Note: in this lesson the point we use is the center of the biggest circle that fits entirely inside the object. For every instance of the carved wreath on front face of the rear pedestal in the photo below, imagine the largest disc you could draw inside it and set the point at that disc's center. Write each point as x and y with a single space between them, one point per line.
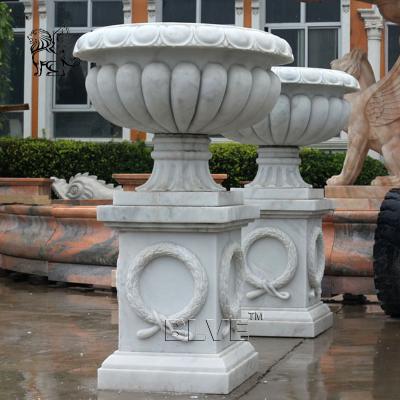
262 283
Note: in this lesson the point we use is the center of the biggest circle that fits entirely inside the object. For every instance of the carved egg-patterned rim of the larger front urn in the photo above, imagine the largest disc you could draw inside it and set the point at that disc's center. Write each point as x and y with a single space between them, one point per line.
183 35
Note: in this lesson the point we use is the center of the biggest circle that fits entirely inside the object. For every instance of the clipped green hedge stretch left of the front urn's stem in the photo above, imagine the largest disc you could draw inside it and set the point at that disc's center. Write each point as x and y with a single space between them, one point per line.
64 158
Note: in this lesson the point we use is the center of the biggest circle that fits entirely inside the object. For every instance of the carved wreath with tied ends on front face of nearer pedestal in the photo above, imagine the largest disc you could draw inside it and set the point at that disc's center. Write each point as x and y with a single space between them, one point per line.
171 323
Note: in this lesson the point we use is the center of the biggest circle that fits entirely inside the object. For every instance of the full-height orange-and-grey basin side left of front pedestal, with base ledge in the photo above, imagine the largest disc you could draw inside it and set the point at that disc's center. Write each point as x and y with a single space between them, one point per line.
62 240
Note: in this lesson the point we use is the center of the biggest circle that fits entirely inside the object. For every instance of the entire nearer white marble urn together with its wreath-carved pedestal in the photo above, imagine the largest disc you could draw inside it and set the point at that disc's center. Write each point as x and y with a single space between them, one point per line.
180 263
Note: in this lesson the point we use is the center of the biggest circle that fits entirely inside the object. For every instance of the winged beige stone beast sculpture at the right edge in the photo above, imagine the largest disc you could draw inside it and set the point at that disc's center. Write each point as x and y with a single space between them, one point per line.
374 122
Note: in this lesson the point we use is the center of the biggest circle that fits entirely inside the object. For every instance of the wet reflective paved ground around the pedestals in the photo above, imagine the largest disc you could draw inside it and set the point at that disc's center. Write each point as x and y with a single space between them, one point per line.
52 340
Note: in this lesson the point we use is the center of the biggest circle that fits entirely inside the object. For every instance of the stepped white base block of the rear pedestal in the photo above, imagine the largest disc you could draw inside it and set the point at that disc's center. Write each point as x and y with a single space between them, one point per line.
291 322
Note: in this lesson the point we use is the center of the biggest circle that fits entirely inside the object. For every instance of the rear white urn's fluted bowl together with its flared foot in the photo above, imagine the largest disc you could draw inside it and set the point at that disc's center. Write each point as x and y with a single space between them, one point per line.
310 109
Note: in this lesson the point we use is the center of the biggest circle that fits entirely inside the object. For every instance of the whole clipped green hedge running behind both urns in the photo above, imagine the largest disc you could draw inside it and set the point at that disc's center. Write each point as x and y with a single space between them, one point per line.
45 158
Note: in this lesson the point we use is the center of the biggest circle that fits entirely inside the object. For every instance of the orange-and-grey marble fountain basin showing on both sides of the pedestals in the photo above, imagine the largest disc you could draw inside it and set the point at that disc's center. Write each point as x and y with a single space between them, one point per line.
64 242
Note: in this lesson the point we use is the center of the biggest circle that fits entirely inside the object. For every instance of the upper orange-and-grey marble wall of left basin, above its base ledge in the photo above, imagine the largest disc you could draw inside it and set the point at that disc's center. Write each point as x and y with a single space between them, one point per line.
57 234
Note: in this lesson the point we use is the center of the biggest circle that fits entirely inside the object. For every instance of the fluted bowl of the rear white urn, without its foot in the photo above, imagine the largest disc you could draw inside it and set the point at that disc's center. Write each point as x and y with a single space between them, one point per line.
310 108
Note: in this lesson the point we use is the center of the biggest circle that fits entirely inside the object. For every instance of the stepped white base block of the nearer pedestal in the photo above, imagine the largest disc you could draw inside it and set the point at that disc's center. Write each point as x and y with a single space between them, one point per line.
185 373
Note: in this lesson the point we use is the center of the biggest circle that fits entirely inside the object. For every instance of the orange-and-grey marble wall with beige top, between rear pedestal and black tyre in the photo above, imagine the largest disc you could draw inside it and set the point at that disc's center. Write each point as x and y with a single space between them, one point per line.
349 237
